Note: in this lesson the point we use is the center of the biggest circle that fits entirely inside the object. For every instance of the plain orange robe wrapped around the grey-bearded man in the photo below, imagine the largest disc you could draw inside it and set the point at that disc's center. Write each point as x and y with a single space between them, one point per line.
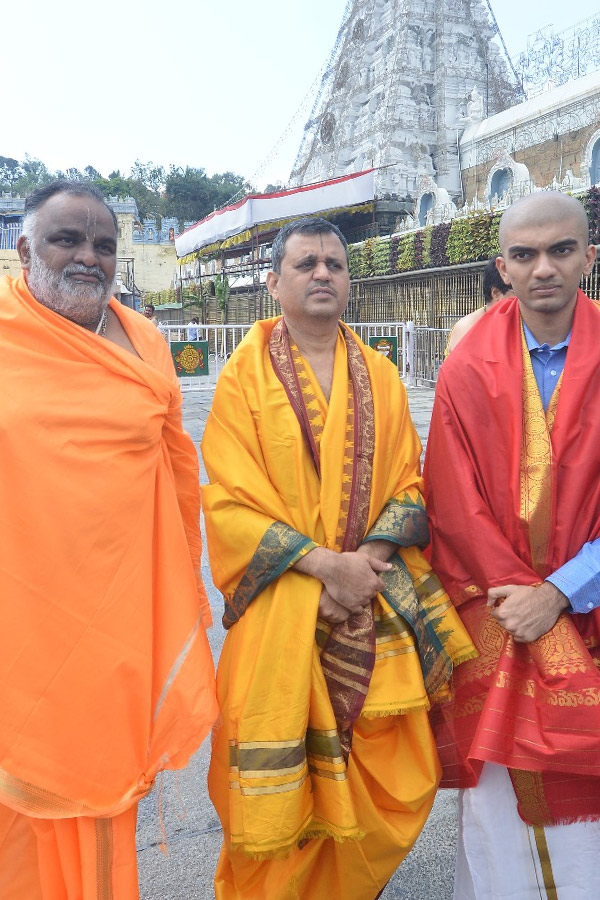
106 675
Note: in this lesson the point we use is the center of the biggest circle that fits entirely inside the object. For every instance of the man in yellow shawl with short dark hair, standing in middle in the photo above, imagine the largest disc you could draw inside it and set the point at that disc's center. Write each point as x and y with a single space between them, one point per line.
324 768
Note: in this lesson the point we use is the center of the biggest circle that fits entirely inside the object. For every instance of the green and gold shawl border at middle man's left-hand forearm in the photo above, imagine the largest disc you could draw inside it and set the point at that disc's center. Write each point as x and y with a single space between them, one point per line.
281 546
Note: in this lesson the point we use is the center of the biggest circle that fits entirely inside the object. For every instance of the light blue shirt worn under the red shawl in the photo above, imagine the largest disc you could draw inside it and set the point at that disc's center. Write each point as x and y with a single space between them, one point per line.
579 578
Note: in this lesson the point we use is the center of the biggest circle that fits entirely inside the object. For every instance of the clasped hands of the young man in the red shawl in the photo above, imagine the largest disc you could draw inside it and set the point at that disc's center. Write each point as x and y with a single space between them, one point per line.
526 612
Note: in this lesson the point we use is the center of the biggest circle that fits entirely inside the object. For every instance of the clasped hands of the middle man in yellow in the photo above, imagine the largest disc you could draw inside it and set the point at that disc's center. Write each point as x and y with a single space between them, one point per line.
350 580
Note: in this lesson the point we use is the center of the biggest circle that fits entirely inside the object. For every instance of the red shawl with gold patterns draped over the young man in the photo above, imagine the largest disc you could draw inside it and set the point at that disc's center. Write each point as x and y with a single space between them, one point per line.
512 495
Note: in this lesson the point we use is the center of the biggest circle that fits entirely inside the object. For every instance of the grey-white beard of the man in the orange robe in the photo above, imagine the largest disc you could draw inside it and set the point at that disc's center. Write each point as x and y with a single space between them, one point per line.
81 302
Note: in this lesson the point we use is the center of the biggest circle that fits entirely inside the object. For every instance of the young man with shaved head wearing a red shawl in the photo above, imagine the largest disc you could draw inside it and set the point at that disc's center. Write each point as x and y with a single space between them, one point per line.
513 492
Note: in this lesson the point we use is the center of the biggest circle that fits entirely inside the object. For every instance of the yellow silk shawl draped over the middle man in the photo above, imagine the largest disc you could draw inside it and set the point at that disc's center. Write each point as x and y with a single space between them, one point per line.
287 773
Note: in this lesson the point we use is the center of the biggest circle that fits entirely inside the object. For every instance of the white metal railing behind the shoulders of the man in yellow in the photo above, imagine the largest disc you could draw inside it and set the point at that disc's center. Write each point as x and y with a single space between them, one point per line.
420 350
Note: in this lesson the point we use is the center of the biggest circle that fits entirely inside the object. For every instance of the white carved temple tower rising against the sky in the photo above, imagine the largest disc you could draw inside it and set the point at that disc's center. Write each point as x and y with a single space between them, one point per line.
403 81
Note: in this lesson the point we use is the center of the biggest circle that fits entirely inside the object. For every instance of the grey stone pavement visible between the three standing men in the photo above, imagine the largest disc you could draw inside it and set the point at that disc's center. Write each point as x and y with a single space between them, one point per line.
180 801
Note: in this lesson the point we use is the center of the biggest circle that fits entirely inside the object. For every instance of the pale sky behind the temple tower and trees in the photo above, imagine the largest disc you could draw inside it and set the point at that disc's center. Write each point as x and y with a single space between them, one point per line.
193 82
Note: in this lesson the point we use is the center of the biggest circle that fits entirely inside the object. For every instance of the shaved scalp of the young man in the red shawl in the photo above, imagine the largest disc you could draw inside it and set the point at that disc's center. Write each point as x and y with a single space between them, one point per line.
536 210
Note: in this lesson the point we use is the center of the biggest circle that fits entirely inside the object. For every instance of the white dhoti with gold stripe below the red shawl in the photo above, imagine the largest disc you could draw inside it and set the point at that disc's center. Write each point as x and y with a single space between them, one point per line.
502 858
